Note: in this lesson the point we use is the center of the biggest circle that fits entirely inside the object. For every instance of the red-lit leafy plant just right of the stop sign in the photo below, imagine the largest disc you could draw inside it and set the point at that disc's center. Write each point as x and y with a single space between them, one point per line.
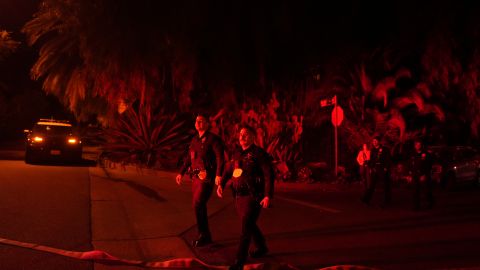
383 106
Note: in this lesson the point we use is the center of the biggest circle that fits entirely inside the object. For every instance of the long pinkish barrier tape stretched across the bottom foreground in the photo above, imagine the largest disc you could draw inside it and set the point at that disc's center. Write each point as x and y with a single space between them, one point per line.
105 258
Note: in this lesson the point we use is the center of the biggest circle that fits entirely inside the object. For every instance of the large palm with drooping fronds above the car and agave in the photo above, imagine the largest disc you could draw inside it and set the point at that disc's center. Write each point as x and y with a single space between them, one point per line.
113 51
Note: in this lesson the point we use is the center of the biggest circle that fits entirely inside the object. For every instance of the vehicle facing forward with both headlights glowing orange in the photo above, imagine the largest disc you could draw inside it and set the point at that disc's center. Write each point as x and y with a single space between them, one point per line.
52 139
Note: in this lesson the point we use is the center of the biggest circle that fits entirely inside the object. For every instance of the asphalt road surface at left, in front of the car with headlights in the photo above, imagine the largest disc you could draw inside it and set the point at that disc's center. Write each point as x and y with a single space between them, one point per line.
46 205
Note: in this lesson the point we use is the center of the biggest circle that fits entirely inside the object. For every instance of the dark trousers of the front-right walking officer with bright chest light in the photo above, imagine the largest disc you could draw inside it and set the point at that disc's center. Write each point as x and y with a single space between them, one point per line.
248 210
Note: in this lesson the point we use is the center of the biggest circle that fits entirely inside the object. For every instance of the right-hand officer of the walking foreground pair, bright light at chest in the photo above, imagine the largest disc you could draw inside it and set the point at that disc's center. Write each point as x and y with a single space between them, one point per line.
252 182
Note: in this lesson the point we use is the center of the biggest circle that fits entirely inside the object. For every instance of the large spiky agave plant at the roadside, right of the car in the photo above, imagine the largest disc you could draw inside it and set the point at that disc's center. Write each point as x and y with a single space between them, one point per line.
143 137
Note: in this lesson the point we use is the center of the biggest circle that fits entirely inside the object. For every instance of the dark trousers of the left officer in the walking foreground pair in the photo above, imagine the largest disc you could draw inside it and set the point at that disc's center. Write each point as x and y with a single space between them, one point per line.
201 193
